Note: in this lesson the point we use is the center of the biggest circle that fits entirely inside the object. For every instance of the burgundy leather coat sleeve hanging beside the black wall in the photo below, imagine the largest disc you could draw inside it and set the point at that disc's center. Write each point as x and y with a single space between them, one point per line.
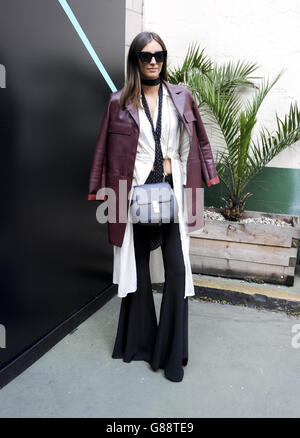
98 168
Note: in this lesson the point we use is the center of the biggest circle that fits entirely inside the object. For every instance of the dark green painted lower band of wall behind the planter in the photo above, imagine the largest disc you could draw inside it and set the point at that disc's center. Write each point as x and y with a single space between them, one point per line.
274 190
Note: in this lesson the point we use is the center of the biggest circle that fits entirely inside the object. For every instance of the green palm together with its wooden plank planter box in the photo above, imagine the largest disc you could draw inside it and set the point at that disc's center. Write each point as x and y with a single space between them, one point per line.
237 243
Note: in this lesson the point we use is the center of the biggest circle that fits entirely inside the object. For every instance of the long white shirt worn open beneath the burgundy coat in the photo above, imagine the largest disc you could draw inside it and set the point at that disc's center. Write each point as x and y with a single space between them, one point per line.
175 144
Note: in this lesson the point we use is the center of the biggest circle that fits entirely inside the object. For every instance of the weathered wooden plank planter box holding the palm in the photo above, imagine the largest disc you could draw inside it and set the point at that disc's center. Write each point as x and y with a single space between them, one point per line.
250 251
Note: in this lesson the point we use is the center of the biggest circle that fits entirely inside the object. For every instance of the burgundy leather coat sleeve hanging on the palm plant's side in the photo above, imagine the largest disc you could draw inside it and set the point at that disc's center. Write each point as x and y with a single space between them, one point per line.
209 171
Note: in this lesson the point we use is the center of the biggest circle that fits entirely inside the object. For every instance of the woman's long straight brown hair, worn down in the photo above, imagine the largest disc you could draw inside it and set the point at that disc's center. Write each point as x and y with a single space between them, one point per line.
131 91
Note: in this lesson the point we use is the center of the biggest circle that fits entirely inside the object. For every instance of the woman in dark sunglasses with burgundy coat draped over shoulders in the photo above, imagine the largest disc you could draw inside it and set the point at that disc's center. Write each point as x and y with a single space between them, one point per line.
165 136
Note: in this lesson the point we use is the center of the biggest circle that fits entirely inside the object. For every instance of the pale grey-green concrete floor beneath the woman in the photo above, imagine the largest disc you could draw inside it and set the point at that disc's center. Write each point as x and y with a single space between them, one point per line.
242 363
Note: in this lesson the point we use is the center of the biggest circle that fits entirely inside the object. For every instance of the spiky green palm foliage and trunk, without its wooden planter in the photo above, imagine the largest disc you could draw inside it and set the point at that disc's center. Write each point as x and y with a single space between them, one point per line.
217 93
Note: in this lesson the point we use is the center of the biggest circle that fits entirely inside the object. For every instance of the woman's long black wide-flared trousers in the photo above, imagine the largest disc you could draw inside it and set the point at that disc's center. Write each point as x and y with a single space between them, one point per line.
138 336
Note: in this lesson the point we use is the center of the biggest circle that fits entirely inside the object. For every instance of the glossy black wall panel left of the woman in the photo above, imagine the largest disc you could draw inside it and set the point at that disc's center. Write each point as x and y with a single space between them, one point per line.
55 256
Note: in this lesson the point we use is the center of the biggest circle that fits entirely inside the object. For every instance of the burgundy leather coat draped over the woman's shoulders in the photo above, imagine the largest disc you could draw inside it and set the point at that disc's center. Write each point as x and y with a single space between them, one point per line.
116 147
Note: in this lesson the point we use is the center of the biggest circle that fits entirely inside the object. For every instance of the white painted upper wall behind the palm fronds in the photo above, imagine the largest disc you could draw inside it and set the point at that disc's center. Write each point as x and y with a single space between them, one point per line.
262 31
